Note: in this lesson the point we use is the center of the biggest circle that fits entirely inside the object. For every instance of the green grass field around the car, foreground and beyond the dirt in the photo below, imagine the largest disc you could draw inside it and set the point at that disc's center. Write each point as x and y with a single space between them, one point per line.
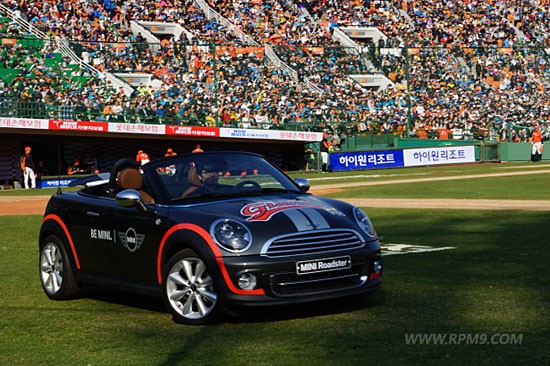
494 282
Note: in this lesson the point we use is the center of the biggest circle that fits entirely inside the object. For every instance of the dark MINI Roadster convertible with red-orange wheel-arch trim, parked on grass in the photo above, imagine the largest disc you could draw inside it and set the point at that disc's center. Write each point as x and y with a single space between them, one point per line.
206 232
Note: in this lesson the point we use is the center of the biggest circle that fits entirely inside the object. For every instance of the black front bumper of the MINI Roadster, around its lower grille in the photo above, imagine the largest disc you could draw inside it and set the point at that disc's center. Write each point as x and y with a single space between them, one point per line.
283 285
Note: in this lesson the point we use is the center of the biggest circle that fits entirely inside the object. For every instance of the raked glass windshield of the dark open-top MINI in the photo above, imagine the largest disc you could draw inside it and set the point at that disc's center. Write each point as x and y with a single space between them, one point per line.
214 175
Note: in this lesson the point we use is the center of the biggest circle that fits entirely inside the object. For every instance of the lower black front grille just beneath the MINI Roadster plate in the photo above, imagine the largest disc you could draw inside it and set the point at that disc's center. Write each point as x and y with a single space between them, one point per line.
292 284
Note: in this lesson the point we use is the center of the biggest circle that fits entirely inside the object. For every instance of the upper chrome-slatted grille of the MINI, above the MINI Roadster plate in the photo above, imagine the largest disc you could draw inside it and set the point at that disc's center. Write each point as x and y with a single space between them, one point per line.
312 242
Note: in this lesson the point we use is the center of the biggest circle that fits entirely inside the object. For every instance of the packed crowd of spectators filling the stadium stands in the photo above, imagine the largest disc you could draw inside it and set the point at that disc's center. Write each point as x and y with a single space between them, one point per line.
470 66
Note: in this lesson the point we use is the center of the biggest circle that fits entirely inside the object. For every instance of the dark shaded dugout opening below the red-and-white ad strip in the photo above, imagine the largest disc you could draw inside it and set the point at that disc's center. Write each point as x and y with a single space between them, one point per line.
58 150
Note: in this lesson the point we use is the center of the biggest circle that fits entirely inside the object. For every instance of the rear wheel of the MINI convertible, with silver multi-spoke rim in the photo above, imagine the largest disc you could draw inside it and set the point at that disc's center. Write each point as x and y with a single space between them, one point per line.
56 273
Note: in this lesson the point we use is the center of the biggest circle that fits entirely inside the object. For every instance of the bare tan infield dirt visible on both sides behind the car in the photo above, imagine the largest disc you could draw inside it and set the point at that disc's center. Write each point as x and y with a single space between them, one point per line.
35 205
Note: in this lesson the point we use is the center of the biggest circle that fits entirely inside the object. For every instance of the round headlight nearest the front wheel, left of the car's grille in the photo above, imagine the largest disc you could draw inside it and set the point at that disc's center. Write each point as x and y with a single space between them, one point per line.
231 235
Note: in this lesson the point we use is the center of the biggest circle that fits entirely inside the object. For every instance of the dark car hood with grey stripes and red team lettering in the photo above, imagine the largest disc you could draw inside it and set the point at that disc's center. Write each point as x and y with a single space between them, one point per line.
272 216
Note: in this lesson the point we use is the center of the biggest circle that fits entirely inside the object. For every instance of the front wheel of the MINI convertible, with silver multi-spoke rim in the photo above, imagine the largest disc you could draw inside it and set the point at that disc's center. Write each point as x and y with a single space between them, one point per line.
190 291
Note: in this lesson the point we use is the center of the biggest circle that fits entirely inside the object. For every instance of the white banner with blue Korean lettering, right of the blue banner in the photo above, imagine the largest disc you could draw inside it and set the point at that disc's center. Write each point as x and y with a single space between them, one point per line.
439 155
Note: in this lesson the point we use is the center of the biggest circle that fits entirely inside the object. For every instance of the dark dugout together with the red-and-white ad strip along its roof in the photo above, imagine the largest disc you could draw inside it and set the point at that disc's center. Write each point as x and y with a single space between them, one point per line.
59 143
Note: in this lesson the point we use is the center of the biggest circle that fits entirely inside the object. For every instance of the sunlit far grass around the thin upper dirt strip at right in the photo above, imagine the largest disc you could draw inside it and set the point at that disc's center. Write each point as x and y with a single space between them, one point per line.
520 187
